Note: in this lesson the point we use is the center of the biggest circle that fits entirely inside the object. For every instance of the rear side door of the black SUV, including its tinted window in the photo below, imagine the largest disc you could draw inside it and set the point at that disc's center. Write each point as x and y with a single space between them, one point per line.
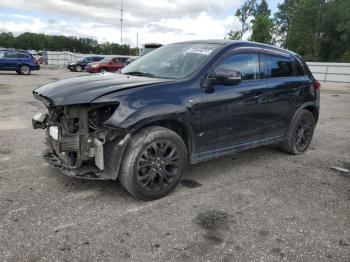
284 91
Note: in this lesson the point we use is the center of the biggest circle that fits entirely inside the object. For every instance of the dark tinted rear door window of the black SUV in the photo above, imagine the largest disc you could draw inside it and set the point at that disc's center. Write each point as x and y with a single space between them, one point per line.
279 66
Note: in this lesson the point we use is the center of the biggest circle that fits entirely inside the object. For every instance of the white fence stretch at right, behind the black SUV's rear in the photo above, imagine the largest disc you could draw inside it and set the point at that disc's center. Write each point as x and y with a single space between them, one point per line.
330 72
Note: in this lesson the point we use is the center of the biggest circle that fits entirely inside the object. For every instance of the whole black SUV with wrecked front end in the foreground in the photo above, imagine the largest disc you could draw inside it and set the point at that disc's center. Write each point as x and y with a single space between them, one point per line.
181 104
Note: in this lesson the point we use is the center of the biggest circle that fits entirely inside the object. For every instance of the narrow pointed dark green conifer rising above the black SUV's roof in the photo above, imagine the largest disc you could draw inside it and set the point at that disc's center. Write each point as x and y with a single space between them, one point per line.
263 26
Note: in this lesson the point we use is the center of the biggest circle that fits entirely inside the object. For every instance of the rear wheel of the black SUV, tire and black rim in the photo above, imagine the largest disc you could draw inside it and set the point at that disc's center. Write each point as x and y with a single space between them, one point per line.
300 133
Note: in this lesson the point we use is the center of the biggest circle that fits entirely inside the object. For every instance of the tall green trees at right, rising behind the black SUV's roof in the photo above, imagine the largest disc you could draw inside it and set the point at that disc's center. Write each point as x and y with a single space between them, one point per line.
319 30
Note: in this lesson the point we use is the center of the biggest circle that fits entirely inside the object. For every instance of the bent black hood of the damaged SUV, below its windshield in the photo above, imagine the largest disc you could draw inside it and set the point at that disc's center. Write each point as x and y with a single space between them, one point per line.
84 89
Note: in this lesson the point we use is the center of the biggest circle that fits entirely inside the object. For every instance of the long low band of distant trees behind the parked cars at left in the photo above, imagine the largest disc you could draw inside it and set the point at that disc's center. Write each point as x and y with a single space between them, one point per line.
32 41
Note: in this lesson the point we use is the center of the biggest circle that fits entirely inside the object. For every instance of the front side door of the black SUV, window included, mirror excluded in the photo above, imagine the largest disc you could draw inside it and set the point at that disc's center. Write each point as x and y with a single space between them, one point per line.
234 115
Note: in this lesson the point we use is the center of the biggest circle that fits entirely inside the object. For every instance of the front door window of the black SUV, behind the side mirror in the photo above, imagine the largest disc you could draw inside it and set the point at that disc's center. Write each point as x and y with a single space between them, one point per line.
246 64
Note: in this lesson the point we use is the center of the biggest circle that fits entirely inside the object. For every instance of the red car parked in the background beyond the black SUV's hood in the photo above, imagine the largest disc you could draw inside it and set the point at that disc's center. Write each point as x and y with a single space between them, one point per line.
109 64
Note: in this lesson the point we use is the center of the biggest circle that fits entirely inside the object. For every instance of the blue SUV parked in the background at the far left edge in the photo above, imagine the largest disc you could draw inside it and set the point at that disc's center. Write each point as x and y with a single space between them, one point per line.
20 61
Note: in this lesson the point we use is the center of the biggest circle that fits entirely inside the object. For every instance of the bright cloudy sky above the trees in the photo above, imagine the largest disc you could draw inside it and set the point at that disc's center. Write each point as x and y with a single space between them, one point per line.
160 21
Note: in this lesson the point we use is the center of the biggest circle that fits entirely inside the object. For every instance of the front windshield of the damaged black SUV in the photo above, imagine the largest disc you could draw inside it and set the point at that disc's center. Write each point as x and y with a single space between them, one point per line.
172 61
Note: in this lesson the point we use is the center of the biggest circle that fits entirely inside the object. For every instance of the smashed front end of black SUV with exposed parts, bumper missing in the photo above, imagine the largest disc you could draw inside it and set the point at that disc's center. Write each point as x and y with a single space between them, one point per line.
79 144
